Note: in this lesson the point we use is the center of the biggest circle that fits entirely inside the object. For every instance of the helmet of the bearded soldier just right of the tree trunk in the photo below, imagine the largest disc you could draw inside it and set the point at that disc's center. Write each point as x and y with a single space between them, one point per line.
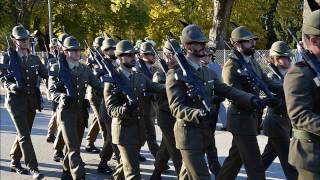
241 33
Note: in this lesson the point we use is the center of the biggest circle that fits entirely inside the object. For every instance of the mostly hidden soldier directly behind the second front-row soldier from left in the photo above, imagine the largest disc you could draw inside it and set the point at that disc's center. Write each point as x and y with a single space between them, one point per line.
58 144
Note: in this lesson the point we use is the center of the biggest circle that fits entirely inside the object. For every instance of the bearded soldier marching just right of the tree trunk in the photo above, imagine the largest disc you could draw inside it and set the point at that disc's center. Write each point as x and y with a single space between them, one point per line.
243 123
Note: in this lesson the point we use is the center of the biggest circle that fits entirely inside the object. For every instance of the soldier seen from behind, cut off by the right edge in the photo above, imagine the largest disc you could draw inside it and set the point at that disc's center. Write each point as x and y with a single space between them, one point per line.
301 86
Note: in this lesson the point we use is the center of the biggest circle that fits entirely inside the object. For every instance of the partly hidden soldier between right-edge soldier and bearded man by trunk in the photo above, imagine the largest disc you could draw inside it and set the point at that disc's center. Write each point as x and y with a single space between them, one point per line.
276 124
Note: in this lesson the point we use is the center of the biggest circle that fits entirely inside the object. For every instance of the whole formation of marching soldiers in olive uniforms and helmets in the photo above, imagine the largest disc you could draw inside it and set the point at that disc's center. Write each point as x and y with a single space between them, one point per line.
127 88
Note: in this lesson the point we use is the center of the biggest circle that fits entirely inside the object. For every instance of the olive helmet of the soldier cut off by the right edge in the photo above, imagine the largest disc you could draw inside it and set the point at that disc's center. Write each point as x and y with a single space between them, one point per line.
311 23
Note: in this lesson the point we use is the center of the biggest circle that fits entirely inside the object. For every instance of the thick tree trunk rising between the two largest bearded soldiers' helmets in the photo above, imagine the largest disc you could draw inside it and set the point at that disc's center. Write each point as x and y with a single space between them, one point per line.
221 15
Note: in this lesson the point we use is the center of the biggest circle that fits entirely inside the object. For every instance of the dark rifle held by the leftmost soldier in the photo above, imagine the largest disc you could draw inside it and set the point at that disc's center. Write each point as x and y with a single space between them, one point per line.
14 67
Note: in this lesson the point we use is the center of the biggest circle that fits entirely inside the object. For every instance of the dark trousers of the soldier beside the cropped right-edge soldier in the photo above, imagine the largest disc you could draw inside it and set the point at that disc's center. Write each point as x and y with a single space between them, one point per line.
279 147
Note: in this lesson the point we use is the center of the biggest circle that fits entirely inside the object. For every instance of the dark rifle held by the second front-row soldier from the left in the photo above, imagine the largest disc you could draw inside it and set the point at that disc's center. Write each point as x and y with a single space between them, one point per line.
64 74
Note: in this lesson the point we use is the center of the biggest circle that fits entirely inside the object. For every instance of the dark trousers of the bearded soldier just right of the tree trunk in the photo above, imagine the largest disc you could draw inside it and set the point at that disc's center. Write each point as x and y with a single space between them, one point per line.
244 150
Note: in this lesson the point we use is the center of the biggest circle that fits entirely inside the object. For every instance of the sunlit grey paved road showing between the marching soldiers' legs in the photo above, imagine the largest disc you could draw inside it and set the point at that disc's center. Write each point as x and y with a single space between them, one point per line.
52 170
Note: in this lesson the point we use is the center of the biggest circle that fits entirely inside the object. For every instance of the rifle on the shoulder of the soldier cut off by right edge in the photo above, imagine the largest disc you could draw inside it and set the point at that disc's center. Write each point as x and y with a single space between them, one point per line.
309 59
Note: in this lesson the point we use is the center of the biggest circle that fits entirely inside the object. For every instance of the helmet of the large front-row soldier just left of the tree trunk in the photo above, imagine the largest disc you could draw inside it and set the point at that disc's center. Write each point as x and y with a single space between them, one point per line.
193 33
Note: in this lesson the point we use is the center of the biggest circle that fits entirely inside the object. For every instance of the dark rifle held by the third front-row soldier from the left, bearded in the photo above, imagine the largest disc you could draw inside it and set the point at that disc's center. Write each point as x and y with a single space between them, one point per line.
115 78
